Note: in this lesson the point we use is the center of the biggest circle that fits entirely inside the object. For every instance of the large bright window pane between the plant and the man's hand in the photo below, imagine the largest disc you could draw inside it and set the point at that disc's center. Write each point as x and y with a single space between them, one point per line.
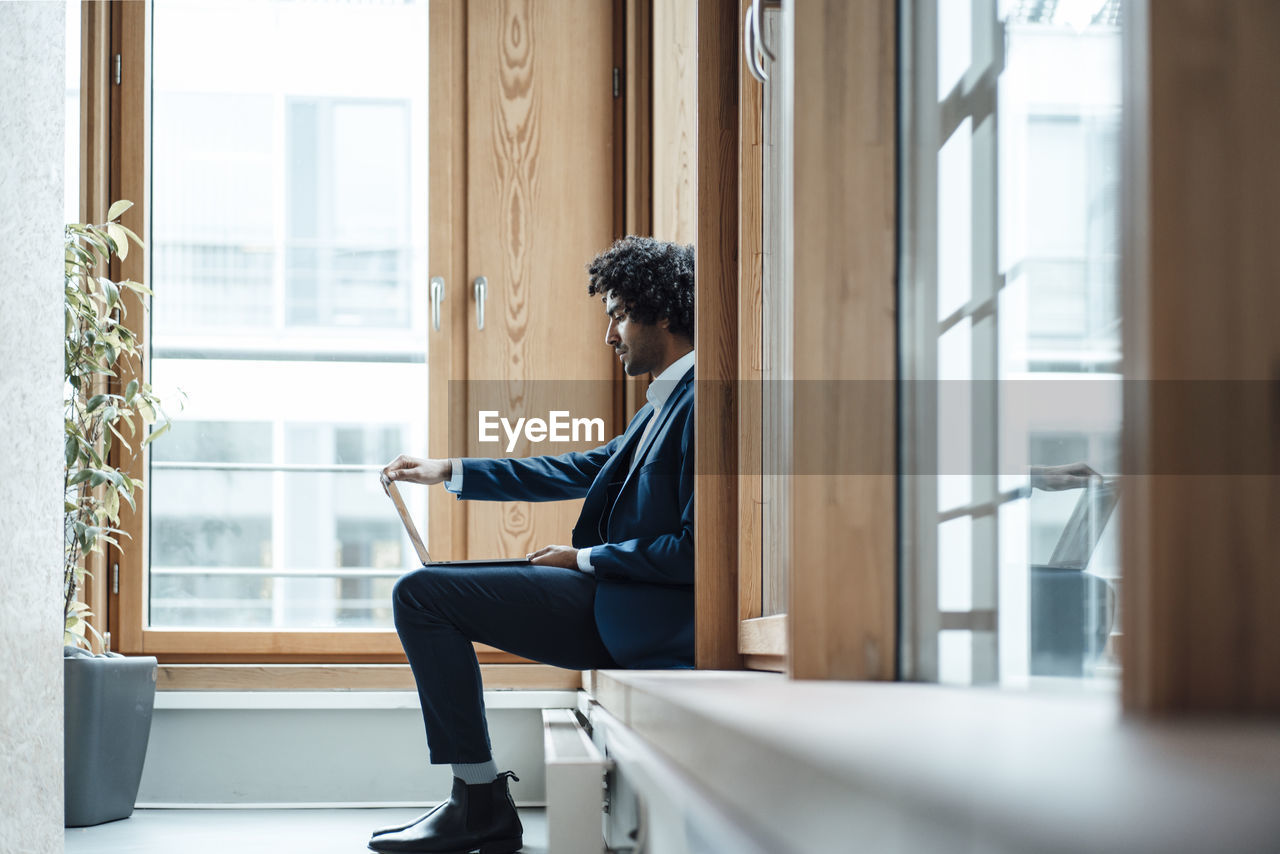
289 229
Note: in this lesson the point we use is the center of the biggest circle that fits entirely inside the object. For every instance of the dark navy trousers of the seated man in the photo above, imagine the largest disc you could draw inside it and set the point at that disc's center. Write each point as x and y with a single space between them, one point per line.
540 613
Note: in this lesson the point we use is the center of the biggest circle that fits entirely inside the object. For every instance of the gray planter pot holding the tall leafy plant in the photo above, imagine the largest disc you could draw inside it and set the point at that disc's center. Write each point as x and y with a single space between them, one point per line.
108 723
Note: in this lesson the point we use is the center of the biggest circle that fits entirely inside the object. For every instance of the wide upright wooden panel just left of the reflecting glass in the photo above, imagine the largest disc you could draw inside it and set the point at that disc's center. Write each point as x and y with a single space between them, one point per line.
843 568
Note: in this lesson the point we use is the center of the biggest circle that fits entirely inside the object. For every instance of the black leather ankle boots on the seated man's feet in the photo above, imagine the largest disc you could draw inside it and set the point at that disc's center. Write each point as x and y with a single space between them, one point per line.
476 819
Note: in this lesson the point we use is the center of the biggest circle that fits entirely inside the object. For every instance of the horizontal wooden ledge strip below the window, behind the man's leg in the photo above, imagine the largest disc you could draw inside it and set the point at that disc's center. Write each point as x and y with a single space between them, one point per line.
359 678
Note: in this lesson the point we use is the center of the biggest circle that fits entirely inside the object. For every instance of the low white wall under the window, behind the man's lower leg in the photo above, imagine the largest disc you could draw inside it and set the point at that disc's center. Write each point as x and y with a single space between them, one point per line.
313 750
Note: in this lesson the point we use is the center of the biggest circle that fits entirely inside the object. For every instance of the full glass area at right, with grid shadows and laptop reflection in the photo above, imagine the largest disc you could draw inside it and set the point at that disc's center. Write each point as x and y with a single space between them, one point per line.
1014 528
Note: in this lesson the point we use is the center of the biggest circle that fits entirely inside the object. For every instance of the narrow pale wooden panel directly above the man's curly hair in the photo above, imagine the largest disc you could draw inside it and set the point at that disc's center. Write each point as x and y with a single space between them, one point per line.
675 120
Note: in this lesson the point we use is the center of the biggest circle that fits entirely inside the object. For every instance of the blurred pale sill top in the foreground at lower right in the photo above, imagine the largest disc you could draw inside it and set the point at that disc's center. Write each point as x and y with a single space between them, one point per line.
912 768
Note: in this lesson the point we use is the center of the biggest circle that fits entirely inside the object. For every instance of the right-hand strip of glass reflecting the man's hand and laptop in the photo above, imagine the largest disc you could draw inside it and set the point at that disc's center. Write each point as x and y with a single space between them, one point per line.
1060 243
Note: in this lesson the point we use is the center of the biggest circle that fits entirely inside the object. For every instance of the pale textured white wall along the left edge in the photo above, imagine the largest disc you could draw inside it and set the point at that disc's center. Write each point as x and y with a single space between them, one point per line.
31 229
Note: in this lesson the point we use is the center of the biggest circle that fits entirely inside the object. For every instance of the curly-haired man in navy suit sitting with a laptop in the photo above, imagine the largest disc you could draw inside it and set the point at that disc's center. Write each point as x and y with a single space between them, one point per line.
621 596
